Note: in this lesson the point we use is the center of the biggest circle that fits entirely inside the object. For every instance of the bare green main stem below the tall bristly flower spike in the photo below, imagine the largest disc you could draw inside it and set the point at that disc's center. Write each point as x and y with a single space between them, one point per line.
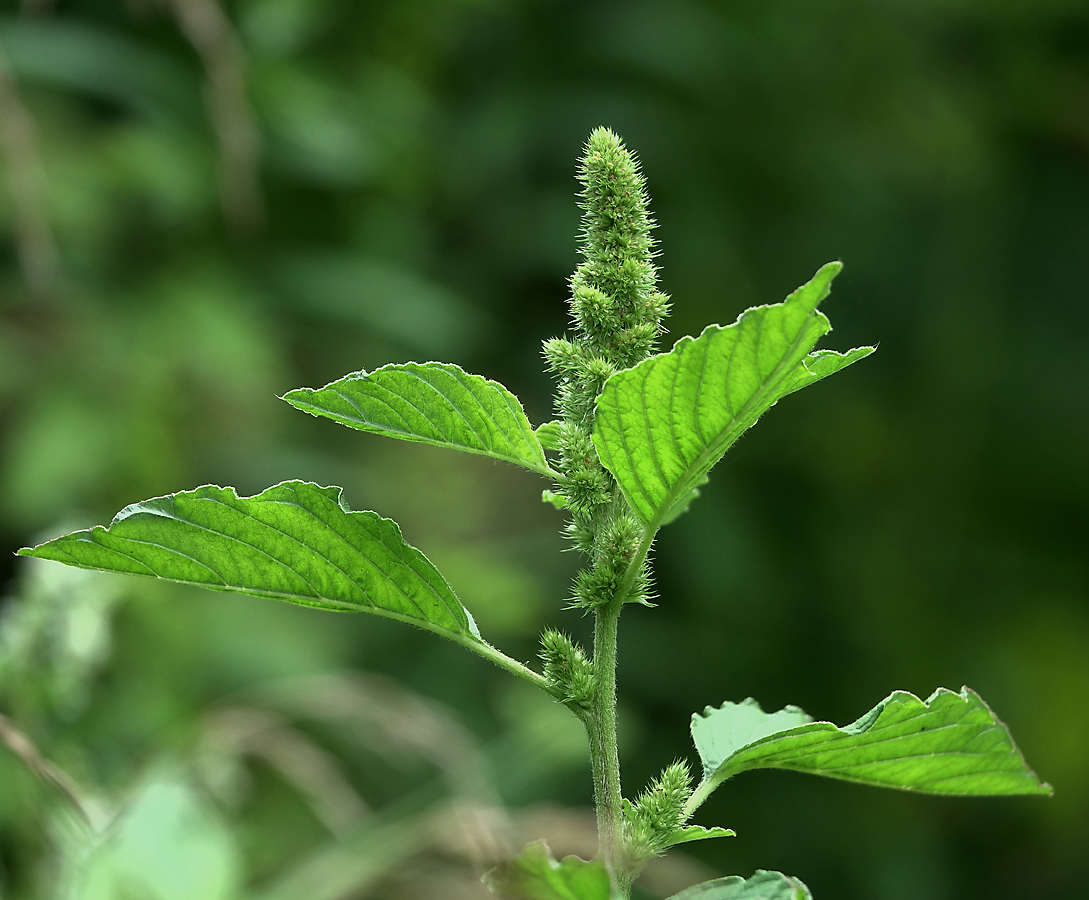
603 734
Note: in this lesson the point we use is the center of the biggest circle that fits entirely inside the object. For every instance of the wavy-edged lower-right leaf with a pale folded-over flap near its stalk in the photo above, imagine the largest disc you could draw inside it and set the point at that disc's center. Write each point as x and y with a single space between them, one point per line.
951 745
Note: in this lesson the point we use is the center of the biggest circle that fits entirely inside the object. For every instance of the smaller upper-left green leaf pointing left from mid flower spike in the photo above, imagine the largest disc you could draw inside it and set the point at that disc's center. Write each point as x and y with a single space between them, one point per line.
436 404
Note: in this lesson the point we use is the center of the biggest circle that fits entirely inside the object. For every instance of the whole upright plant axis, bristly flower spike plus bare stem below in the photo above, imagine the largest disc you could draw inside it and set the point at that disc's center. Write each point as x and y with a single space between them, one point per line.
618 311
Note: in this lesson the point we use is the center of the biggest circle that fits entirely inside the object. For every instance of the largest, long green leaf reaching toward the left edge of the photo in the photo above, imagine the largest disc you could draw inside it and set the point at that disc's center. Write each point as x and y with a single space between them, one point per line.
296 542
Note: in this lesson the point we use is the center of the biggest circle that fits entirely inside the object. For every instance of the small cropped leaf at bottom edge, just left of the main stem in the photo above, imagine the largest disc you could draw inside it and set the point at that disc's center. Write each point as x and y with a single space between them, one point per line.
535 875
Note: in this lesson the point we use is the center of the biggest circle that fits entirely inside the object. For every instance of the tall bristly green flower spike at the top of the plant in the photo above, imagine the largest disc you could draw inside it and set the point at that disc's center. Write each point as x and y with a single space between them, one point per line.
617 311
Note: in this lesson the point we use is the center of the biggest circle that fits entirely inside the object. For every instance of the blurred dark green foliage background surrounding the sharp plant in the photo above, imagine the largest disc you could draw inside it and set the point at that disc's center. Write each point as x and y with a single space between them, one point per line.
205 206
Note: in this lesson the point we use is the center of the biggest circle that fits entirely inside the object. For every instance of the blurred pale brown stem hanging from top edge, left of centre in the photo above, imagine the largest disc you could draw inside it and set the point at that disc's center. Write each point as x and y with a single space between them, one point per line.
210 31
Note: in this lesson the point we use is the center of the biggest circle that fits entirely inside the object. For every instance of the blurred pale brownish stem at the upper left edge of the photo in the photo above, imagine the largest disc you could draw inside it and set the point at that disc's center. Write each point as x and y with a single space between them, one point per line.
34 239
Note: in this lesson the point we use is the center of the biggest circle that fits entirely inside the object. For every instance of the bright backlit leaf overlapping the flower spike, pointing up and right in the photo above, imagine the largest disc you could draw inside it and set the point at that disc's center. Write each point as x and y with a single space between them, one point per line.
663 425
